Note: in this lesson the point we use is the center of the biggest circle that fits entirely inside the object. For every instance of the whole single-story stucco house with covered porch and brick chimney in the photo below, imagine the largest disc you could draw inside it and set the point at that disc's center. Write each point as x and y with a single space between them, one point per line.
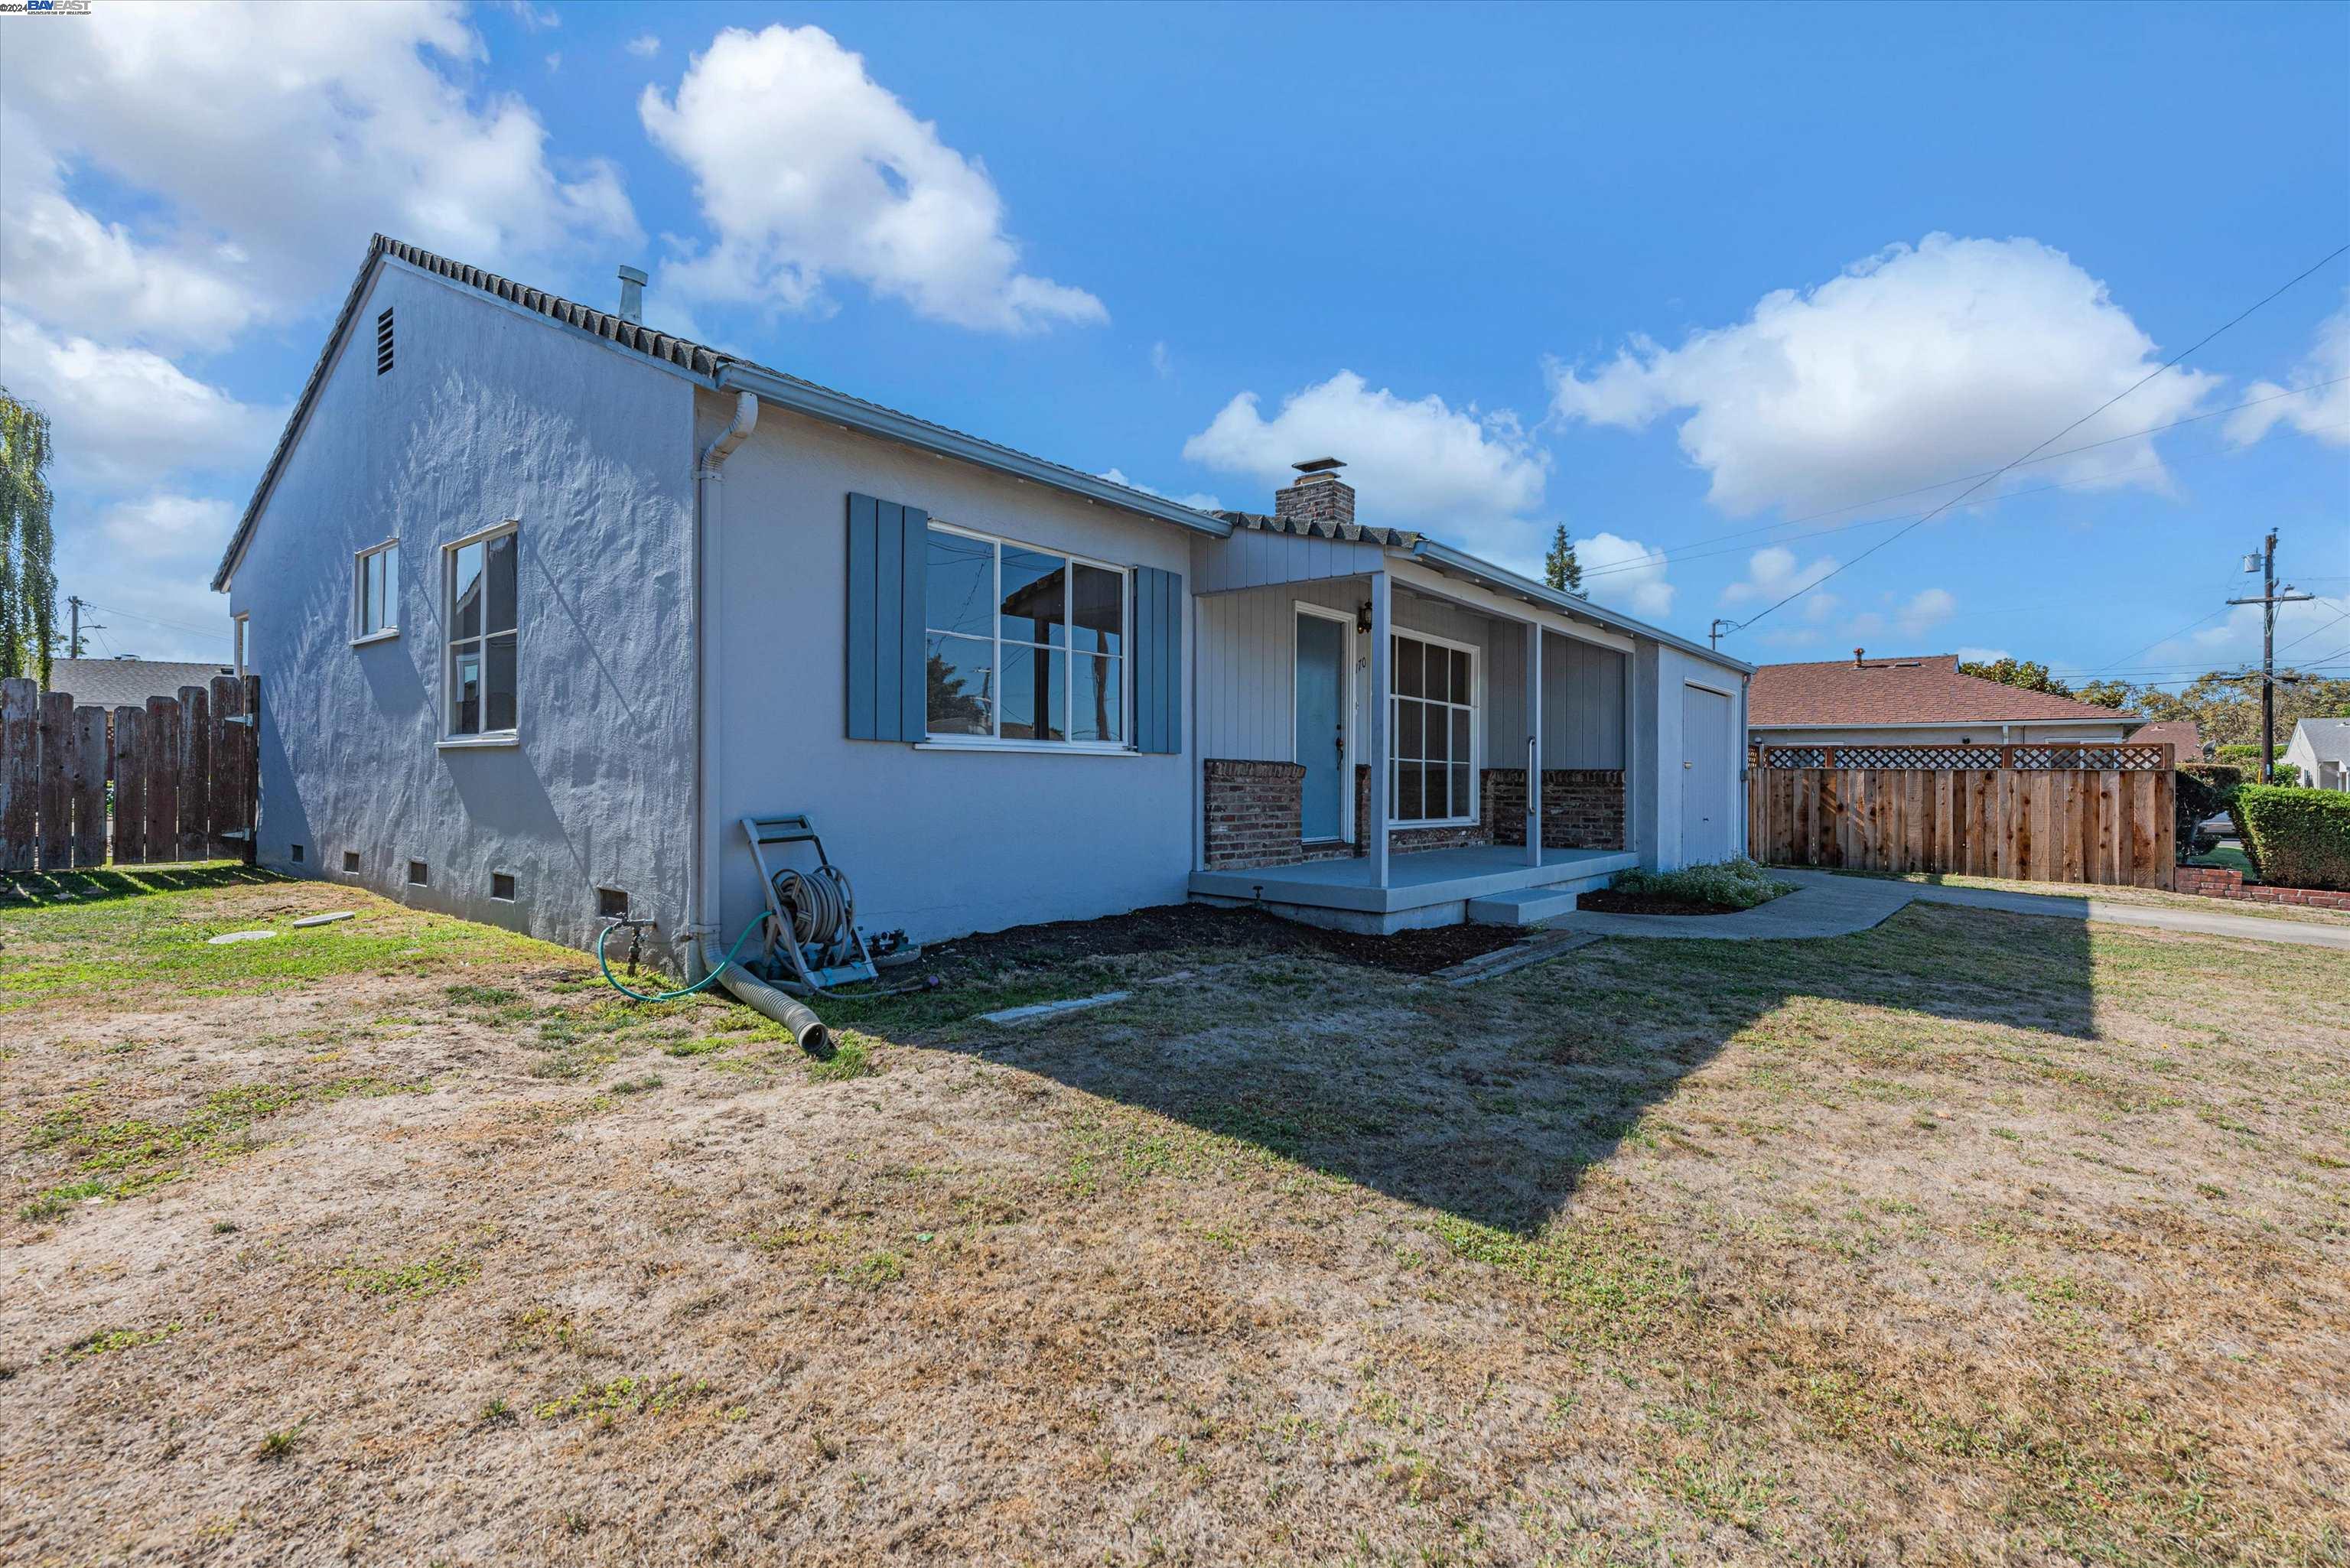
546 603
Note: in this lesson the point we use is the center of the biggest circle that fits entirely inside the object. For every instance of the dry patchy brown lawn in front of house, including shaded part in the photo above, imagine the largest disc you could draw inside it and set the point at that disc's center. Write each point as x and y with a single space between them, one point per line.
1975 1238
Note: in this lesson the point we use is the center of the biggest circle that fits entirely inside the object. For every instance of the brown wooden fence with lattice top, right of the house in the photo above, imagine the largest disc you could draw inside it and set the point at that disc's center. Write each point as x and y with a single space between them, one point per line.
2029 812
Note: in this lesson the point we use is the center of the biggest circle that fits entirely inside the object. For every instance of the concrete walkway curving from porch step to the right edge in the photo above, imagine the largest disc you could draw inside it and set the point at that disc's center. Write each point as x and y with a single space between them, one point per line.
1839 906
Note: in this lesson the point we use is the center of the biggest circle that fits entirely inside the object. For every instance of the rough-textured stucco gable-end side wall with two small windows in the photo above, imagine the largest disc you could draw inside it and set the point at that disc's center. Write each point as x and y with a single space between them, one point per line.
488 415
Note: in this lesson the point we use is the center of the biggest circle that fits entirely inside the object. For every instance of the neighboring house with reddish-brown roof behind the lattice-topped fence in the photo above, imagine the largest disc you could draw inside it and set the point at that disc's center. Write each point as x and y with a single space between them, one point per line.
1916 702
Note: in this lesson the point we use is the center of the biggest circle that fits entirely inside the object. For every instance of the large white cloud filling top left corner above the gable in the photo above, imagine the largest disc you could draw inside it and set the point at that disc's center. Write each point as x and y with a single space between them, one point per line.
215 114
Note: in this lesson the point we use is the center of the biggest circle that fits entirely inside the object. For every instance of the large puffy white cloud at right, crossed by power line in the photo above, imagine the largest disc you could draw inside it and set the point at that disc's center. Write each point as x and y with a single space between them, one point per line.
1914 368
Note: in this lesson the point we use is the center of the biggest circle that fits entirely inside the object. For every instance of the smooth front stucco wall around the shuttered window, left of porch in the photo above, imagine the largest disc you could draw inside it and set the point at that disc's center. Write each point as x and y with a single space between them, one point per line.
939 843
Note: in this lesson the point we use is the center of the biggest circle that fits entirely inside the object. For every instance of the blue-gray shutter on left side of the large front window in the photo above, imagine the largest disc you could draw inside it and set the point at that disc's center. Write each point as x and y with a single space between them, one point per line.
885 657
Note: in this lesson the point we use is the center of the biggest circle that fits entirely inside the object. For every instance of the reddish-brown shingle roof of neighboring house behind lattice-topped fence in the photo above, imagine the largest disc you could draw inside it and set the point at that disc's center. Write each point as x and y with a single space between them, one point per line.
1923 690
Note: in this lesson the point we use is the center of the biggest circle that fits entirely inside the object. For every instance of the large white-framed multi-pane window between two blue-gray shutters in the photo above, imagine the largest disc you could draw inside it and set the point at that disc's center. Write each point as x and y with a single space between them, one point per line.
1023 645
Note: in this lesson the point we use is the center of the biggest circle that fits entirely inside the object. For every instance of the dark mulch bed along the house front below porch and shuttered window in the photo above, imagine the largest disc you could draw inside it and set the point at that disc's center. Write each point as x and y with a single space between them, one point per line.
1193 925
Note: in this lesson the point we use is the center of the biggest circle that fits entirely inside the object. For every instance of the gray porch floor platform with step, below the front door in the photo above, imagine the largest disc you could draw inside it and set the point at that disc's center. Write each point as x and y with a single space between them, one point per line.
1432 887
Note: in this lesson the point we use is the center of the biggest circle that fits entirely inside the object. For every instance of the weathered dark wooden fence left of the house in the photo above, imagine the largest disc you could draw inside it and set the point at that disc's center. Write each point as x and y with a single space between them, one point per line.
88 786
